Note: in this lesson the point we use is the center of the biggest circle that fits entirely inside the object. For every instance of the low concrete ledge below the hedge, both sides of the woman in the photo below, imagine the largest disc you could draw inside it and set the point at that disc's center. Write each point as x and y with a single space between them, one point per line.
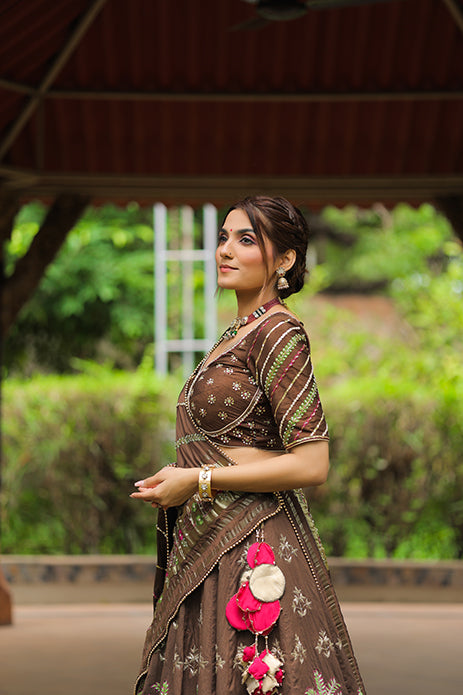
115 578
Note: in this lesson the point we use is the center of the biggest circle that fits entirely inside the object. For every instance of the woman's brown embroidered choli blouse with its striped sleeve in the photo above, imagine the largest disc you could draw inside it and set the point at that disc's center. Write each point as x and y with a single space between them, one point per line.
261 392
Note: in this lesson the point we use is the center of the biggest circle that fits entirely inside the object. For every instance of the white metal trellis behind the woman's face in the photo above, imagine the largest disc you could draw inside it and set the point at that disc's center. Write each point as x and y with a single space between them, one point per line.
187 344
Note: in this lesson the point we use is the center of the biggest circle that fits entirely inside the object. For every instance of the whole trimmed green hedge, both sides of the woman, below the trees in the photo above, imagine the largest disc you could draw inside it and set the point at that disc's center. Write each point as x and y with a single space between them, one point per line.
74 445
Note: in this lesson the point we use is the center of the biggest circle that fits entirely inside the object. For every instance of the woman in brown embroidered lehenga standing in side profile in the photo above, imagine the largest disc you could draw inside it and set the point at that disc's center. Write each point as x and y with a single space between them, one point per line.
243 600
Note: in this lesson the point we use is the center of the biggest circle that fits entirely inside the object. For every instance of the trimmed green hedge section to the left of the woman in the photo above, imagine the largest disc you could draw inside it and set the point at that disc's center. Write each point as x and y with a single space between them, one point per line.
73 447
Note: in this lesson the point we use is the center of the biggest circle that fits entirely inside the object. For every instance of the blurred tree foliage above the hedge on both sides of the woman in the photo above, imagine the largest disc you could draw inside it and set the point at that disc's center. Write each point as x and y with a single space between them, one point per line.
96 300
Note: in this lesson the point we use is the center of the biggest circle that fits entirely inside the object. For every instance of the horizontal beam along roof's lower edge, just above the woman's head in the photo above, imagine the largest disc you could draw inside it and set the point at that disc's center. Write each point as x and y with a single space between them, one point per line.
179 189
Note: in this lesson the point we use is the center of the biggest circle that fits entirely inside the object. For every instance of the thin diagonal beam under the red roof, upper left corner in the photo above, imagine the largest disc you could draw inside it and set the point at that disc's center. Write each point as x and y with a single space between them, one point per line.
60 60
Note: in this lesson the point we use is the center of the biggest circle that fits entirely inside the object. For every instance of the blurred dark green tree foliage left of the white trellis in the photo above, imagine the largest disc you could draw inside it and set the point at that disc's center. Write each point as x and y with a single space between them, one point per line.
95 299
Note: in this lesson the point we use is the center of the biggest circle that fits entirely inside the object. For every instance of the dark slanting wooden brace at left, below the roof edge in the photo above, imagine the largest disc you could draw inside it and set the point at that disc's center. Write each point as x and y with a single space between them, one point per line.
18 289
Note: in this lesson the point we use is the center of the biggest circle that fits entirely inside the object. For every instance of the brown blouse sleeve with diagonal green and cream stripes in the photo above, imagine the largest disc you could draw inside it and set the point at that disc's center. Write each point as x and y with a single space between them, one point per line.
279 358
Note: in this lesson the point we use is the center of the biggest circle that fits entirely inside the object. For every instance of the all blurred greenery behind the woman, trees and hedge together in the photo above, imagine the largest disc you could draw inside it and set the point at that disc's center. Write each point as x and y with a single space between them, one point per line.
84 415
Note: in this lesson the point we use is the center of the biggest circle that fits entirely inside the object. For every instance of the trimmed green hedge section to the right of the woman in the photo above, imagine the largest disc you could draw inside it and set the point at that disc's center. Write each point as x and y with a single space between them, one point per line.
395 483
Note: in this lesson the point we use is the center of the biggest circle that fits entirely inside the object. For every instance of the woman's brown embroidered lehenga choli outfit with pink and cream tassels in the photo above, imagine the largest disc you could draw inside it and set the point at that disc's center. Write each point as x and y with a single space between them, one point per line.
243 600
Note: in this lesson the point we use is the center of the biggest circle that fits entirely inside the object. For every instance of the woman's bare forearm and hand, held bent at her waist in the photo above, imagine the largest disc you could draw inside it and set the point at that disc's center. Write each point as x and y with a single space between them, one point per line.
303 466
